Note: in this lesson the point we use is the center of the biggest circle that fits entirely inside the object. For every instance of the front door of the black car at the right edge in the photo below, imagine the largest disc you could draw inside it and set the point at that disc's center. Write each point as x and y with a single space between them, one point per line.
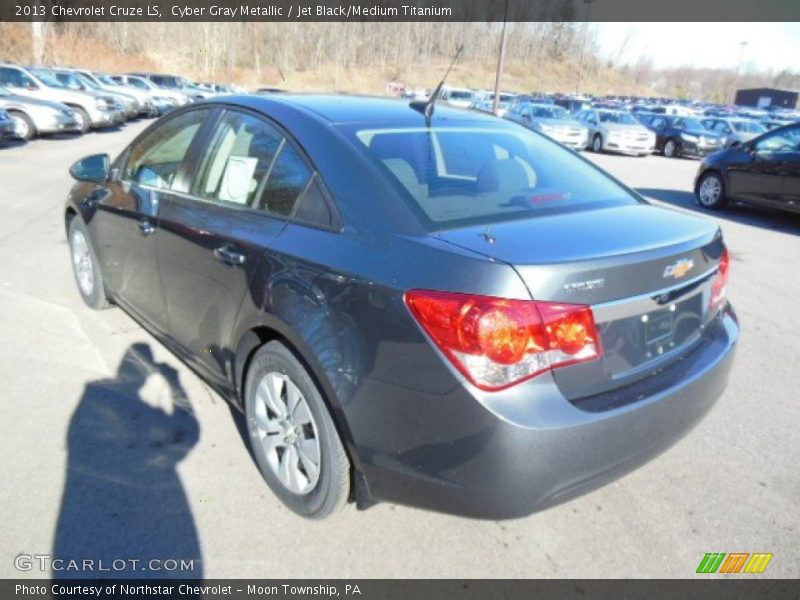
758 174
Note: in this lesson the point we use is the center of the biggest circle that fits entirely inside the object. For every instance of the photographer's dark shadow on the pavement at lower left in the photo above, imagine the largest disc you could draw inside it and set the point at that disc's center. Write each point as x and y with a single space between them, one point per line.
123 500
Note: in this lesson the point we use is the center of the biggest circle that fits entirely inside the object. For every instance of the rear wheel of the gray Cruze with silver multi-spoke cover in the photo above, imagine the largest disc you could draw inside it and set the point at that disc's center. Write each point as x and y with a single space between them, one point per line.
293 438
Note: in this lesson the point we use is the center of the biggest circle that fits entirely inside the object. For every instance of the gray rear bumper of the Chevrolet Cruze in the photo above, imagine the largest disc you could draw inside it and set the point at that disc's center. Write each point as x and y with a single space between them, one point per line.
510 454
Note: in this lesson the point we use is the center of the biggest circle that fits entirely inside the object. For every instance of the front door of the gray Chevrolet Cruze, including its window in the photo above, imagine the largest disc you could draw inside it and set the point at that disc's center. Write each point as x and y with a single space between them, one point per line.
125 223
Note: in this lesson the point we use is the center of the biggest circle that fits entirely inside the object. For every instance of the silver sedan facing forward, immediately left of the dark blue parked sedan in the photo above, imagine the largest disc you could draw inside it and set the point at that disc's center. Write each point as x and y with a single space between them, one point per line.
617 131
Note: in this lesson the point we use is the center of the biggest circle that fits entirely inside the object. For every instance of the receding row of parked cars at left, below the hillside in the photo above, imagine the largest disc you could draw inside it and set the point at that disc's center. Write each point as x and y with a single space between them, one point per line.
37 100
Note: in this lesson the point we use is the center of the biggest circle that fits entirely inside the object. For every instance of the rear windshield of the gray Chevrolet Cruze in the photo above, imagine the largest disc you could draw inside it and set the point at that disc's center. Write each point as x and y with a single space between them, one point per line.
474 175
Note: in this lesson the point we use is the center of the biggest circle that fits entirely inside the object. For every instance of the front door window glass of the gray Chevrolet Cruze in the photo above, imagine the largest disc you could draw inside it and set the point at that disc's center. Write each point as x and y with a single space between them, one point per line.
156 159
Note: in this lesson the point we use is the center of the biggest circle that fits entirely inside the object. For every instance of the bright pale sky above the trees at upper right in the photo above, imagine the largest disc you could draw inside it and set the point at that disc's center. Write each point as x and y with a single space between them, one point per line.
770 46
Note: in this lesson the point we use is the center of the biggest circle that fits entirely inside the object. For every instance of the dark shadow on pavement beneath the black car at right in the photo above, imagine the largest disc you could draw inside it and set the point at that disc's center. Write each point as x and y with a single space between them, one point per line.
738 212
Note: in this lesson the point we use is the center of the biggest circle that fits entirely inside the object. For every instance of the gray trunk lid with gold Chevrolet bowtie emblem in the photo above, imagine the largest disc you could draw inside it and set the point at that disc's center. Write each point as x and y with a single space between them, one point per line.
646 272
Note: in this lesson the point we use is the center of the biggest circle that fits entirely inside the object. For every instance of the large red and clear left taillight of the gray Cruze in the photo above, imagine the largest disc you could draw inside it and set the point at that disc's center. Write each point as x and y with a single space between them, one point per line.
497 343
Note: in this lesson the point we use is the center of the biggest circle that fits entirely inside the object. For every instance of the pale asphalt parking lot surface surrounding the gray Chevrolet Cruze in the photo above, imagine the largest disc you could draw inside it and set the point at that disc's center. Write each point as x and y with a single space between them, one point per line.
732 485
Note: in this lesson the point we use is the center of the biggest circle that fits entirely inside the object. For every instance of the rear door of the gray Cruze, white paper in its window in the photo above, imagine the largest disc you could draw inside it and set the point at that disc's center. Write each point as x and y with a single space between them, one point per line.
215 237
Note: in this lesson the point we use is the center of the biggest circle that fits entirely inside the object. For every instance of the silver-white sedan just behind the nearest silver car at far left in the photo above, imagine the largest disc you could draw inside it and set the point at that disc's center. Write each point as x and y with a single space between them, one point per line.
92 110
